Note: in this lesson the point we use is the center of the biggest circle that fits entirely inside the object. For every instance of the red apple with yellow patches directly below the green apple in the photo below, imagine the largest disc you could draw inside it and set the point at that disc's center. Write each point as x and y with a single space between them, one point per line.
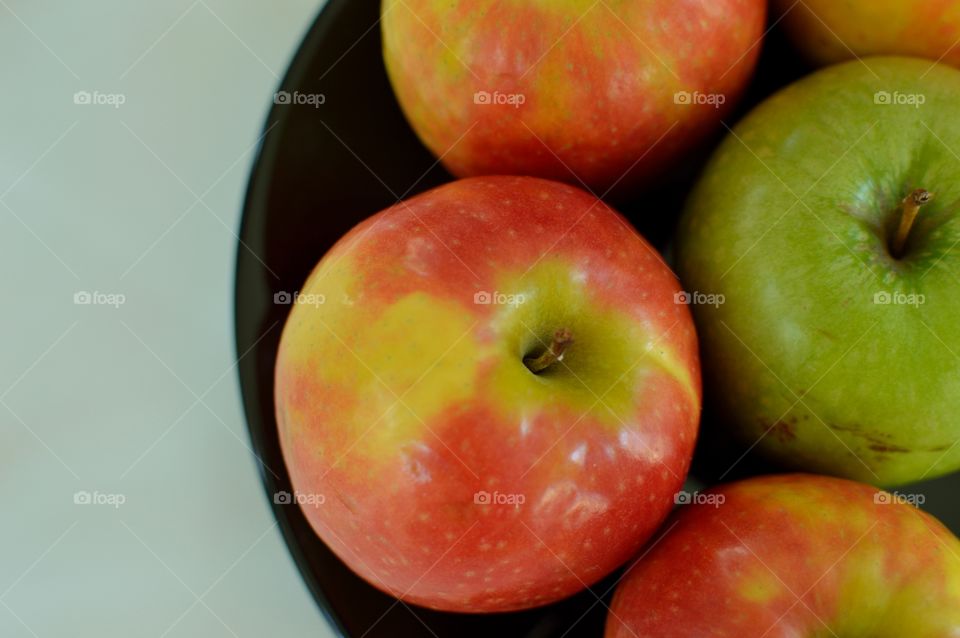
792 556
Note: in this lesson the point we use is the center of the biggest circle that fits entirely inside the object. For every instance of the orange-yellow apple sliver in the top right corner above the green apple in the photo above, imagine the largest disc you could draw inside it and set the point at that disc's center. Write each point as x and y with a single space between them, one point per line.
828 31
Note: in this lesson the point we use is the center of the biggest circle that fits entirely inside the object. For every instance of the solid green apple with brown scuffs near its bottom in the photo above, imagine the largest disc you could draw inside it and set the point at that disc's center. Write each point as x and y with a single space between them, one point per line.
791 224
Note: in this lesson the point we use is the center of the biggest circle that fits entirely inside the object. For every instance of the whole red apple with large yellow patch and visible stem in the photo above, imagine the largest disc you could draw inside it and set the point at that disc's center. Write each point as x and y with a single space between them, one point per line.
443 469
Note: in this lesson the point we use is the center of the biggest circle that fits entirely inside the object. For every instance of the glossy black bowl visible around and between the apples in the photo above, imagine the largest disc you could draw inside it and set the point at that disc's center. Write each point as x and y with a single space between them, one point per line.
322 170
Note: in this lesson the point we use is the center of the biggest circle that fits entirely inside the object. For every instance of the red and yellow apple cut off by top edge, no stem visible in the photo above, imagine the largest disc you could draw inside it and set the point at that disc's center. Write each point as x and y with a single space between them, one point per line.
575 90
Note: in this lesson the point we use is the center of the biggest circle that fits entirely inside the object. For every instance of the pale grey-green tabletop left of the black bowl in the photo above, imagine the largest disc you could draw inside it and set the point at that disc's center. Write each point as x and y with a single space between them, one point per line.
140 400
